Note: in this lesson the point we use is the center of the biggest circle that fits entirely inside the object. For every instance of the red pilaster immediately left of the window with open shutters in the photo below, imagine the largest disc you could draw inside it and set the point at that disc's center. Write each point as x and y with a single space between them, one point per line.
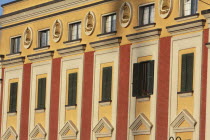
122 111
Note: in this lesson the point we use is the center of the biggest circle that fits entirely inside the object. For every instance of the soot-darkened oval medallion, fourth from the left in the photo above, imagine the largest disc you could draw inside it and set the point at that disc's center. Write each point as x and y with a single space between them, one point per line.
125 14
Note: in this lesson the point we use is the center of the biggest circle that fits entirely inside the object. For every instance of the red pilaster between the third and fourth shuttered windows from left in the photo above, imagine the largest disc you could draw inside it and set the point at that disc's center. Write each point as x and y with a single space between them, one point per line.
87 96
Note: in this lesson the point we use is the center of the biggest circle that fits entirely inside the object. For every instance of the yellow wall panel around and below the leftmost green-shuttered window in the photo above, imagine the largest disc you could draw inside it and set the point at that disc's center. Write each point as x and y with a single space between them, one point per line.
11 118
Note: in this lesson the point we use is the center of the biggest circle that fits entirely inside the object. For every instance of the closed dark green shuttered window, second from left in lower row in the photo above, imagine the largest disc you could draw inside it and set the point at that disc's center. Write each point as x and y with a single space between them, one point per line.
41 93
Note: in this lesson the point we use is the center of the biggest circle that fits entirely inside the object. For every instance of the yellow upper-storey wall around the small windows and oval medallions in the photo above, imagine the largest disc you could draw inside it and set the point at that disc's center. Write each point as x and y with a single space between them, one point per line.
80 15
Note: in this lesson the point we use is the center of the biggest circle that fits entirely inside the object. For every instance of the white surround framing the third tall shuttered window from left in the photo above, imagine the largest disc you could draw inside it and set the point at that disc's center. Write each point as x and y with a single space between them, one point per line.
68 63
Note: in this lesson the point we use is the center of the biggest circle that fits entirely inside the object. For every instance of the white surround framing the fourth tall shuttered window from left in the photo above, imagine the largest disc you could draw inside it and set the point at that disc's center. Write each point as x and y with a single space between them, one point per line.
101 57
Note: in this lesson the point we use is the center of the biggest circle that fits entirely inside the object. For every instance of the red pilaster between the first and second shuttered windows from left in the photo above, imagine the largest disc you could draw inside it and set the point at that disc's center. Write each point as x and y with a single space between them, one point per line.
25 102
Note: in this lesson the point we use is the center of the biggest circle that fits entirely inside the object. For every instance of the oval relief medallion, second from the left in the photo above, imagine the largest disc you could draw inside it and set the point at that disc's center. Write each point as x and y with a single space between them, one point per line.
57 30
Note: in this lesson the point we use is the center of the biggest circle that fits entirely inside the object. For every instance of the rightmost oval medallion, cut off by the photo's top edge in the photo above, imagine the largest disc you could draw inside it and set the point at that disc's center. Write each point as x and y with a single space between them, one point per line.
165 7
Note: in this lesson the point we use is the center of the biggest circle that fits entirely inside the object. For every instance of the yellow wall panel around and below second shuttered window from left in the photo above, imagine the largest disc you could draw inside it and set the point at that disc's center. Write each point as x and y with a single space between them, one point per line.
39 115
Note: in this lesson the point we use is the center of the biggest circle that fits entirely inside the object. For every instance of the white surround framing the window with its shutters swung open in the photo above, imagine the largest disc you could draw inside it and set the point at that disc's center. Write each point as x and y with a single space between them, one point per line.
140 50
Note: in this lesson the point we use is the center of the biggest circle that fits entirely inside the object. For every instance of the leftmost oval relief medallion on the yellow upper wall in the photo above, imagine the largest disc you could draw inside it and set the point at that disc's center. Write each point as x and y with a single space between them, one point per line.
28 37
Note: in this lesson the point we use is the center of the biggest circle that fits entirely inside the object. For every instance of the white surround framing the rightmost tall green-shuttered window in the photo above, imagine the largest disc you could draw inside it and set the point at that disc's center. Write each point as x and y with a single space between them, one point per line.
196 42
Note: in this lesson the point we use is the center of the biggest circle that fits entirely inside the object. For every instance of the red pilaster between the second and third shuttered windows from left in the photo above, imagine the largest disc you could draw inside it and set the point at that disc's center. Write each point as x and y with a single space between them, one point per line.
54 99
